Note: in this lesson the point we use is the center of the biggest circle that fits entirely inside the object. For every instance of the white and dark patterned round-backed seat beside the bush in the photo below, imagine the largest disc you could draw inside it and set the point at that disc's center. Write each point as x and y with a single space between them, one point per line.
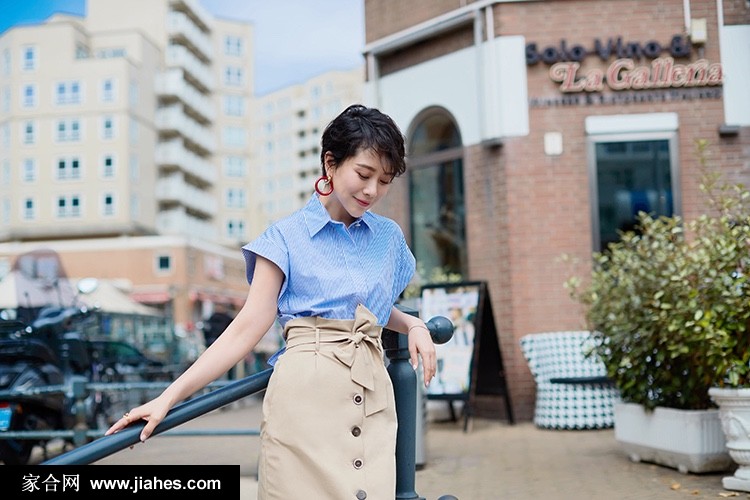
572 389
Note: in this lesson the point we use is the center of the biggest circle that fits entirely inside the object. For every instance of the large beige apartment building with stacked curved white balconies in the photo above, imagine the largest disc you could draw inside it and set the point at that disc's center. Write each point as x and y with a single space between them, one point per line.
125 147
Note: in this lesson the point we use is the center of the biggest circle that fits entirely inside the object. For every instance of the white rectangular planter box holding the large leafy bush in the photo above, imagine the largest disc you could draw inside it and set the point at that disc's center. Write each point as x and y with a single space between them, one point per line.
686 440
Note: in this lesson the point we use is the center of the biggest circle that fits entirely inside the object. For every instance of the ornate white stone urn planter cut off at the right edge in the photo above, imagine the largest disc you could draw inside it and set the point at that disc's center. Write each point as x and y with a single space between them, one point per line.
734 412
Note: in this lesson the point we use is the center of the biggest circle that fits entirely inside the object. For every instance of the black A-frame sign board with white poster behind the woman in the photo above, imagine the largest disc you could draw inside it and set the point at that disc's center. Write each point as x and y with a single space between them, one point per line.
470 364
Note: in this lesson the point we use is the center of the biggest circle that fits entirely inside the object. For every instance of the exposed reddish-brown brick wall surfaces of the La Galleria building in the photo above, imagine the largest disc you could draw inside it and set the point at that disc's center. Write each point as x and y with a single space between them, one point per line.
525 210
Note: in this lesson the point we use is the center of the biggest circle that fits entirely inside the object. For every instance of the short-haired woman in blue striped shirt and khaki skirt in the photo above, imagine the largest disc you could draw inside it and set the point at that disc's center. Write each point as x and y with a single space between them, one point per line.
331 273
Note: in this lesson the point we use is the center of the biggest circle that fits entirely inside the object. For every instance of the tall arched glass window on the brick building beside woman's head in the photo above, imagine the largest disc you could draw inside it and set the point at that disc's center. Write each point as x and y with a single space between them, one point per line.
436 187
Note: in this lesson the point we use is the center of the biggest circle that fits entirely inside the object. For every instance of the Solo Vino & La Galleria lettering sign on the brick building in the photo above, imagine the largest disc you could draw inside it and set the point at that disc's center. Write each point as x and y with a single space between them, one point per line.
625 73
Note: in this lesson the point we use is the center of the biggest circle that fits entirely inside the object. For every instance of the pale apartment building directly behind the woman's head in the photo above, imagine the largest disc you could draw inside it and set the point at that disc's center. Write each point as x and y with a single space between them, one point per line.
286 139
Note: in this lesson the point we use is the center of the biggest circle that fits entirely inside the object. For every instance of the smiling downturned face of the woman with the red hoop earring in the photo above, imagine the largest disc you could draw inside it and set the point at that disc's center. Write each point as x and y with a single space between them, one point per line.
359 182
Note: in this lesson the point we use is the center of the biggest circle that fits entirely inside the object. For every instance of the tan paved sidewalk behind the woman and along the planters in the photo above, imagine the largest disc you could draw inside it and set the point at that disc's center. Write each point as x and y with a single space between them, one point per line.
493 460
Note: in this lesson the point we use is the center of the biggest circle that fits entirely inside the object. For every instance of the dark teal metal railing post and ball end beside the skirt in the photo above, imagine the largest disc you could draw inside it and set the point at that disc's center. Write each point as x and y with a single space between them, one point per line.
405 391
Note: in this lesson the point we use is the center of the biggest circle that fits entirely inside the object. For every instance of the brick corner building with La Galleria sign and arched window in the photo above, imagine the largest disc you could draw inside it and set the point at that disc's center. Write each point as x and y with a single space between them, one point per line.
539 128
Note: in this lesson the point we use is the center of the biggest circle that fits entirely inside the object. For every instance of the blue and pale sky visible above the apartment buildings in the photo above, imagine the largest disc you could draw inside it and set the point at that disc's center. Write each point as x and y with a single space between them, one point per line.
294 40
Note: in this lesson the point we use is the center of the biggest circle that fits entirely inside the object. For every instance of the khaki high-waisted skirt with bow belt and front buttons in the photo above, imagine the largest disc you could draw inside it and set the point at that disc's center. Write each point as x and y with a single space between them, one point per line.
329 417
